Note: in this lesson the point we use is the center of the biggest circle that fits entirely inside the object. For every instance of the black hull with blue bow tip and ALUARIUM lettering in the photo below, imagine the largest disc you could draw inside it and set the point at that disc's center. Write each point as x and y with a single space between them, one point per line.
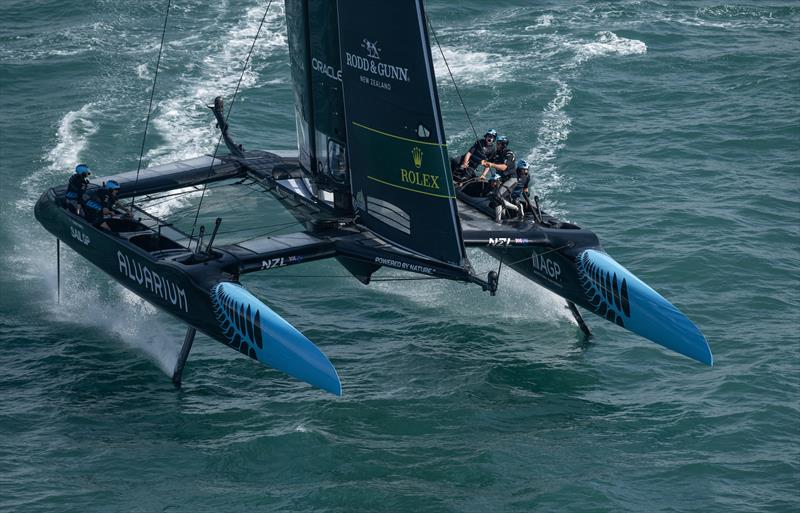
199 289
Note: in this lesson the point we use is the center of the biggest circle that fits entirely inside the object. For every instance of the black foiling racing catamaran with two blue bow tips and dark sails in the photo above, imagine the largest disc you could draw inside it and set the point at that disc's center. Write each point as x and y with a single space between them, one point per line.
372 186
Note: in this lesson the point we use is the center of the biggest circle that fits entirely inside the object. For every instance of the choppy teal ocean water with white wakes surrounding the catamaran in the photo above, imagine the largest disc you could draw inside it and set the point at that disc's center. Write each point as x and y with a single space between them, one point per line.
672 129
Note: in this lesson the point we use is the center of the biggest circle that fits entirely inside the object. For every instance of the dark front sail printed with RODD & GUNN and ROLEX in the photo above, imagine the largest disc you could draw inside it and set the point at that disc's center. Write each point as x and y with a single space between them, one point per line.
399 169
